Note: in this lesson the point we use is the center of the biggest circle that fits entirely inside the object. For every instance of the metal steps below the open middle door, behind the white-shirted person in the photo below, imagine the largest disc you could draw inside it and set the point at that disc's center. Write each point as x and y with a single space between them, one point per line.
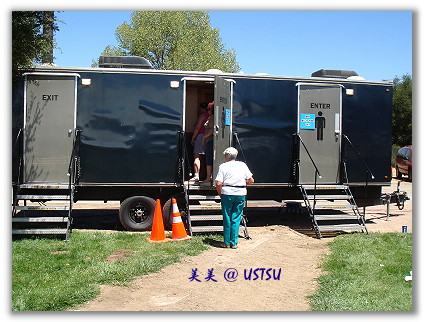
204 211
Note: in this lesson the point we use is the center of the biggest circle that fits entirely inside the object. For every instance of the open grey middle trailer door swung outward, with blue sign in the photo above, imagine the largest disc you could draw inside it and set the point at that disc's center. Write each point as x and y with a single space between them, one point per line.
223 120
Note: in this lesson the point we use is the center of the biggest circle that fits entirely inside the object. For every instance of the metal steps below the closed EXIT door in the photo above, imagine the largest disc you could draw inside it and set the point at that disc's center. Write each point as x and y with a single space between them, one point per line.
42 219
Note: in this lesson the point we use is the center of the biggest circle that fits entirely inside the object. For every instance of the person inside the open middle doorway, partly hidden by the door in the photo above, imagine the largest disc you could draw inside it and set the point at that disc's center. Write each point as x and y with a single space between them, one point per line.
197 140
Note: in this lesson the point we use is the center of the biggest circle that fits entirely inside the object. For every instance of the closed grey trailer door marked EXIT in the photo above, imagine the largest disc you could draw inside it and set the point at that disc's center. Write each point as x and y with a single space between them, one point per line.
49 123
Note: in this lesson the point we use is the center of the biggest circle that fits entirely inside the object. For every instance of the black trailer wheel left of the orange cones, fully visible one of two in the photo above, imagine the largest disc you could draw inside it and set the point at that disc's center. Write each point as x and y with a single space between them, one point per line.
136 213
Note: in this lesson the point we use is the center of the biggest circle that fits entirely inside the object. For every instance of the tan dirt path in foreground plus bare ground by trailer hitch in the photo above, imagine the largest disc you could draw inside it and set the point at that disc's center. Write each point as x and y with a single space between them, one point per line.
275 247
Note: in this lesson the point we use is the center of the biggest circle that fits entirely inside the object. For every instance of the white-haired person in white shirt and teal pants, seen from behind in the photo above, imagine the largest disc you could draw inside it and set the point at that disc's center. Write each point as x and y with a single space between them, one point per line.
231 181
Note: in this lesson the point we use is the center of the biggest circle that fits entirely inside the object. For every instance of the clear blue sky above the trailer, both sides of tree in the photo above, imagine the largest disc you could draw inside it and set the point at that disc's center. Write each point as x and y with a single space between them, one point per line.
376 44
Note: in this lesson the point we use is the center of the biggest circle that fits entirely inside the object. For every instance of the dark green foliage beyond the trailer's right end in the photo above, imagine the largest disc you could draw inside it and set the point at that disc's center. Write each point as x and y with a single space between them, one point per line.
402 110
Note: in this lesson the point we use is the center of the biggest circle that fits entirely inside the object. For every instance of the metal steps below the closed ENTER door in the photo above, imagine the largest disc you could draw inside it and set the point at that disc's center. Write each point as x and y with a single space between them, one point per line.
332 208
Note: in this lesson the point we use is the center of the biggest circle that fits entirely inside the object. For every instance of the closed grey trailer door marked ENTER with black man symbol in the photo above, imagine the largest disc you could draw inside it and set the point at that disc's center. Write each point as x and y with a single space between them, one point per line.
319 126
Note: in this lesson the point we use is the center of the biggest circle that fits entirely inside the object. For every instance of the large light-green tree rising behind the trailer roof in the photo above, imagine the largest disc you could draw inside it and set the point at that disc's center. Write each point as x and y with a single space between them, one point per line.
177 40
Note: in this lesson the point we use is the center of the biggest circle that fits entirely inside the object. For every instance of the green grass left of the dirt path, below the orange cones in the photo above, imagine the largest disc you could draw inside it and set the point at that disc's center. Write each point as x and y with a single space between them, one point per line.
42 281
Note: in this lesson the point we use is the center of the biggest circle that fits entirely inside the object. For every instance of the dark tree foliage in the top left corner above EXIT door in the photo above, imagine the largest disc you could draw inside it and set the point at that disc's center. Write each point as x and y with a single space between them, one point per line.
29 44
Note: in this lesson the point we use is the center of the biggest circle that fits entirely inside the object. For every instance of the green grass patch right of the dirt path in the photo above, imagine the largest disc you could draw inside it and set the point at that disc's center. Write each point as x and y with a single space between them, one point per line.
366 273
